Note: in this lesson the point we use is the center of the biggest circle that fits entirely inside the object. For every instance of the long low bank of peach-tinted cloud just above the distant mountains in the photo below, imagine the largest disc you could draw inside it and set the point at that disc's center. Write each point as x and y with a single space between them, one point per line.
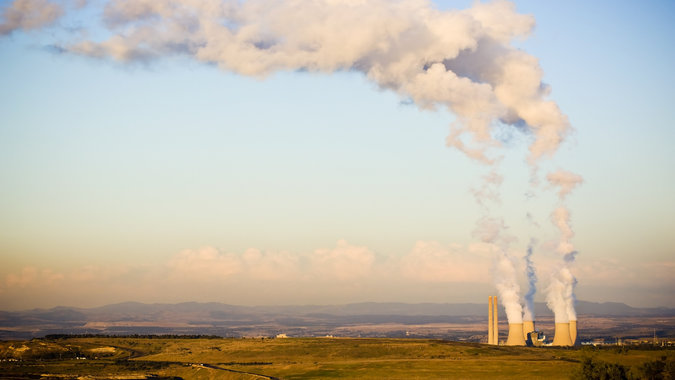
431 271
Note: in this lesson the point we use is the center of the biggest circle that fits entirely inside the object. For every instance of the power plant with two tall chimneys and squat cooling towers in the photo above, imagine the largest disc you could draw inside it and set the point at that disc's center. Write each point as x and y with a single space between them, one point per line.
524 334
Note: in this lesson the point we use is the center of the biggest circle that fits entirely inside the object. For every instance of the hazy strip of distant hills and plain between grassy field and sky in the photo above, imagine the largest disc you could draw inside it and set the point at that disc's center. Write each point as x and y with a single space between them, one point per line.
464 321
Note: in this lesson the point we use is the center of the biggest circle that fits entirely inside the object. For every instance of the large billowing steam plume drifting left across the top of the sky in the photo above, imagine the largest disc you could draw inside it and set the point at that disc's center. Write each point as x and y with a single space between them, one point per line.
460 60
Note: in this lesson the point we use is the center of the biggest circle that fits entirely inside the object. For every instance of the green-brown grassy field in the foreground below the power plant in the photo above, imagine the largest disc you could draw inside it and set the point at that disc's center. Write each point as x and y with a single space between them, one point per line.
303 358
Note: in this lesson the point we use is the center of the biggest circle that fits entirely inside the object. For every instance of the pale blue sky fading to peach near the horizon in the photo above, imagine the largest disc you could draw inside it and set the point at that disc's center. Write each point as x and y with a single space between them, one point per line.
166 178
